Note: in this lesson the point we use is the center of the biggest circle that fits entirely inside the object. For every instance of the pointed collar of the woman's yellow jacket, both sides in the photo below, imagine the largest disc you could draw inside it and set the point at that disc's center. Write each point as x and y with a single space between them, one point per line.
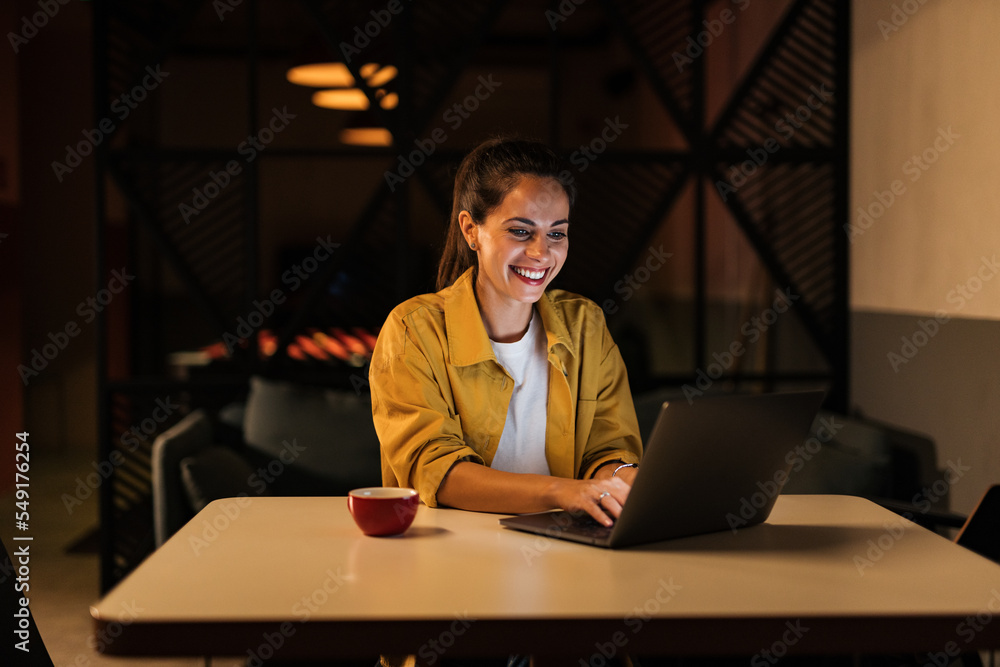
468 342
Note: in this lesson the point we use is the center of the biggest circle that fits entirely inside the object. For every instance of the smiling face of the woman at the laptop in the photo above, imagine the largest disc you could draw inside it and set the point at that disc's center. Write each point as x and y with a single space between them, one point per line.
523 243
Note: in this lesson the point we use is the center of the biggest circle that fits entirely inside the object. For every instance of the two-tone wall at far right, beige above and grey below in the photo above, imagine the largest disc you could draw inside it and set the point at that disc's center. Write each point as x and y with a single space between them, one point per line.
924 227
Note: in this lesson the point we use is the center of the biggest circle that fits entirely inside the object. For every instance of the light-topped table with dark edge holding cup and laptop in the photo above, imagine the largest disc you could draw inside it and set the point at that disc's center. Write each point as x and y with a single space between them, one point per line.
296 578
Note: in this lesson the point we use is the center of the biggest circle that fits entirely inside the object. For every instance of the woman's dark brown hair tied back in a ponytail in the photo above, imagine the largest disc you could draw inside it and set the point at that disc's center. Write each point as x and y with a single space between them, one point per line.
485 176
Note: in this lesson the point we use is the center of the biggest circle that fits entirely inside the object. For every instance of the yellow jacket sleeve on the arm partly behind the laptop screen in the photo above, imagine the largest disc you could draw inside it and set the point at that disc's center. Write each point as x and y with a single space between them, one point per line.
615 431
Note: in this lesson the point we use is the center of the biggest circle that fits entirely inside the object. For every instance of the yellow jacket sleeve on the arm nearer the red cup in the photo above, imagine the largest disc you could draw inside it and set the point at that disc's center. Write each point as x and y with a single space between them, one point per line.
414 412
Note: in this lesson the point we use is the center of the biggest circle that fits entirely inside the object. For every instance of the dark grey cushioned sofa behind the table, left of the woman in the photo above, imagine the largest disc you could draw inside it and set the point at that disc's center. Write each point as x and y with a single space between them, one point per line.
288 439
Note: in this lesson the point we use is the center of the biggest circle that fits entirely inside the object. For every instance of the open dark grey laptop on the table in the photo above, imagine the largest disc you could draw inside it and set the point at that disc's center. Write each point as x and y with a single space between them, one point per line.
713 464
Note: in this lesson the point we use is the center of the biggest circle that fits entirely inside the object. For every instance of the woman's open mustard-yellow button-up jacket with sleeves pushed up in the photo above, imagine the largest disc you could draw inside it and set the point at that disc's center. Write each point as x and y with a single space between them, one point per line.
439 396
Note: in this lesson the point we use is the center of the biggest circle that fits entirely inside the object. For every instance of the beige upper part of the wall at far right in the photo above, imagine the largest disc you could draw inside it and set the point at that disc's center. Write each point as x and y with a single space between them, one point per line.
915 78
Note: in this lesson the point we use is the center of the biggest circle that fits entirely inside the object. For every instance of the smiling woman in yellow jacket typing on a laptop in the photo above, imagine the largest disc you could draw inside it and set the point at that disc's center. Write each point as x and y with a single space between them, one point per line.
494 394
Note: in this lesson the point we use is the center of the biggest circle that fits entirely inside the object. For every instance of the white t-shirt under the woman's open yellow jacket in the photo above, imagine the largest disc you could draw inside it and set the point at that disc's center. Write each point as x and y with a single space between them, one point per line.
522 443
